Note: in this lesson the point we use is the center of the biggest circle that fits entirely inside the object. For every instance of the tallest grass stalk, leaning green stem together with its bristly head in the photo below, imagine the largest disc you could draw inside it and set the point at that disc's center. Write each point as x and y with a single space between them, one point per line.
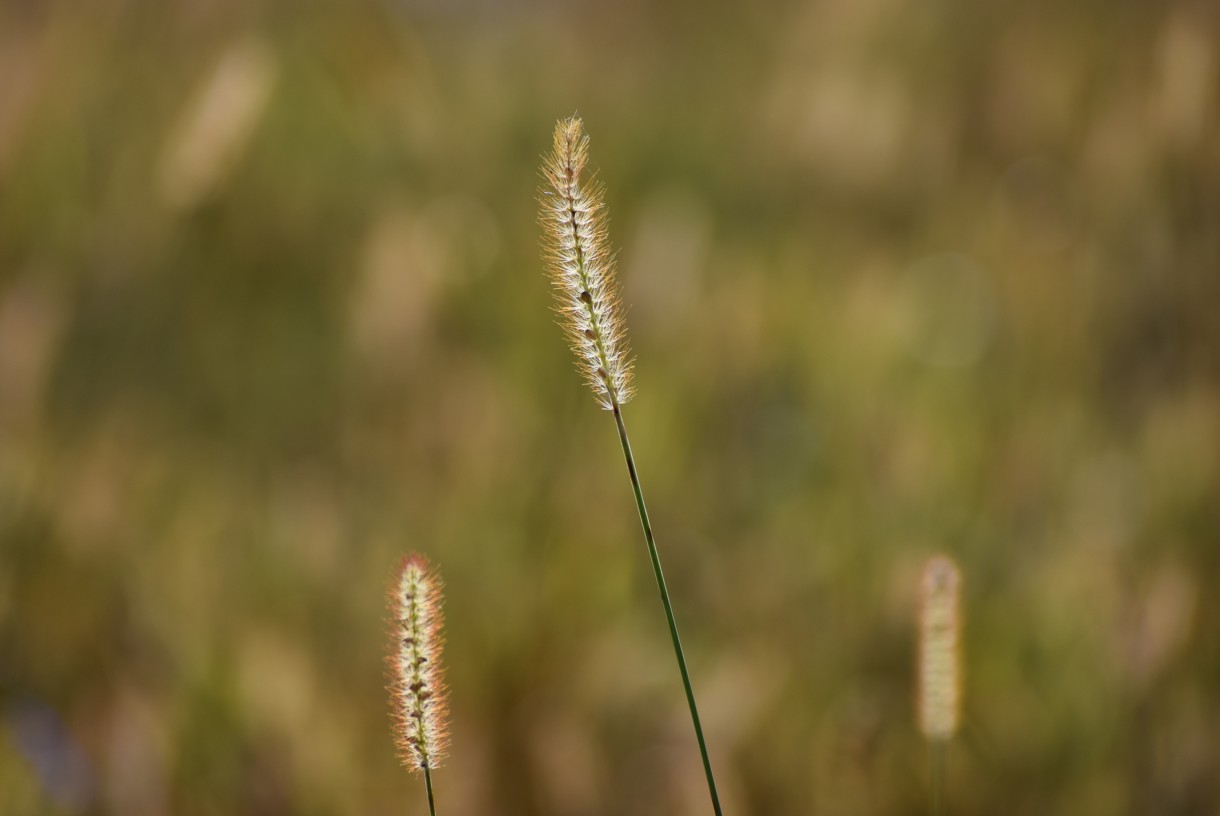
589 304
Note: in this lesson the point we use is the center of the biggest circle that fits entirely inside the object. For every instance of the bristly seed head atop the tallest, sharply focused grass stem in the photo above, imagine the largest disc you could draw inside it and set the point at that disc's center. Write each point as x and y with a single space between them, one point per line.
581 268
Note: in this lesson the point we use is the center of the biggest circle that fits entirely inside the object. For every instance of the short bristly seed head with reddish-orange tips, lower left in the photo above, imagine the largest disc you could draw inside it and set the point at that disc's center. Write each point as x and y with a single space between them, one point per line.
417 687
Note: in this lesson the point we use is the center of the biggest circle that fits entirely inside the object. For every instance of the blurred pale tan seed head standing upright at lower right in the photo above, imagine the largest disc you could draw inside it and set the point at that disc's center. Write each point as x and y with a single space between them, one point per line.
940 670
